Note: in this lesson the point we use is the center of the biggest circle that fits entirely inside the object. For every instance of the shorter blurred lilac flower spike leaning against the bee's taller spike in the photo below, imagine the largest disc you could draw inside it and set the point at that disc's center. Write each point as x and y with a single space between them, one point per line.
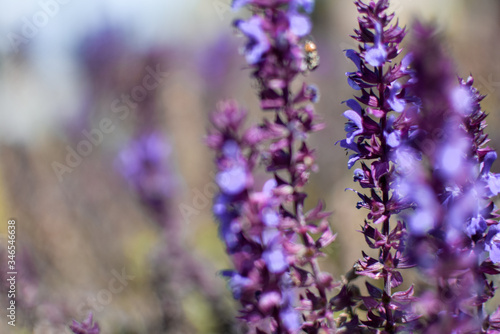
251 228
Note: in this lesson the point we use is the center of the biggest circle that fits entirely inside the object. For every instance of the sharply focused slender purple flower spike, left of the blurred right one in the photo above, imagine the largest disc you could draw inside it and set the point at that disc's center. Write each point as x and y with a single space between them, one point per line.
374 131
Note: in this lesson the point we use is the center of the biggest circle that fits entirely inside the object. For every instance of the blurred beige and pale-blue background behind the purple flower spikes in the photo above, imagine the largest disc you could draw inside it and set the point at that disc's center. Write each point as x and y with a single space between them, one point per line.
103 108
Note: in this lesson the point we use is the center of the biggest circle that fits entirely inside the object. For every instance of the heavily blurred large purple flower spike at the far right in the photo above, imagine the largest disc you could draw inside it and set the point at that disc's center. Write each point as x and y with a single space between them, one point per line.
444 172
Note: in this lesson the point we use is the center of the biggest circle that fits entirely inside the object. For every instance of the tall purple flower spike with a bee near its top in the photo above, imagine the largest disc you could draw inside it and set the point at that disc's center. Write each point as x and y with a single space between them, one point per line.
278 52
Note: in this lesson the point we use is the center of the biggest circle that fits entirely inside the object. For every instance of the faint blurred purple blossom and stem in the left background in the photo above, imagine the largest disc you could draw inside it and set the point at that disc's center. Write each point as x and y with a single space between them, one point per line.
145 164
